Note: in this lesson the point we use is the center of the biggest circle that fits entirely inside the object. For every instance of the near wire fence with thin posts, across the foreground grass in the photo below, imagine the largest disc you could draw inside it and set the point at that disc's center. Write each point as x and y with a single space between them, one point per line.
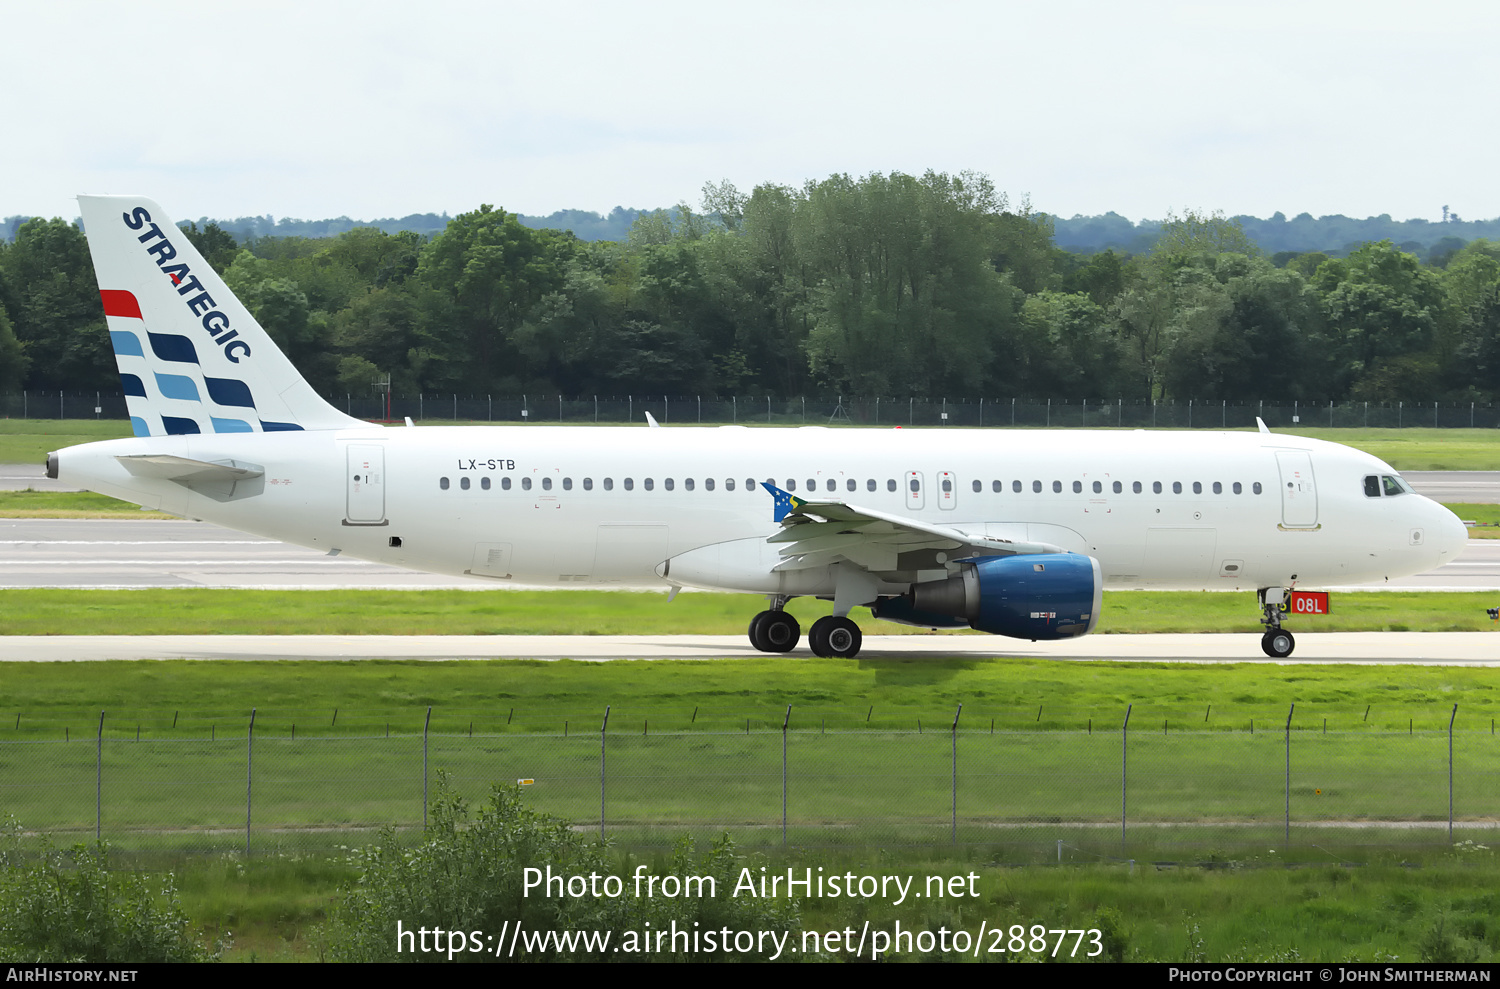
1133 790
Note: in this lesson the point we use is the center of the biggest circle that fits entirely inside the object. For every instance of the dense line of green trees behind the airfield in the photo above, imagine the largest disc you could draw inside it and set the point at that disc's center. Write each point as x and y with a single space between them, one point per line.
889 284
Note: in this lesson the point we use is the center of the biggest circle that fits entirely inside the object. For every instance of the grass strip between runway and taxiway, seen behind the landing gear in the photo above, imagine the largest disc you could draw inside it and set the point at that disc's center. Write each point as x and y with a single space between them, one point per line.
218 612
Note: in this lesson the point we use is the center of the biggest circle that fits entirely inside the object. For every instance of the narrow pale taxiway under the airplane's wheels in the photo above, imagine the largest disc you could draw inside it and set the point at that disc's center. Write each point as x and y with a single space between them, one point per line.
1424 649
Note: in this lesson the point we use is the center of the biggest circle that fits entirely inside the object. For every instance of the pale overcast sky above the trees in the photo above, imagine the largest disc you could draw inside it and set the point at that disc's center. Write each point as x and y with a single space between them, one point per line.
380 109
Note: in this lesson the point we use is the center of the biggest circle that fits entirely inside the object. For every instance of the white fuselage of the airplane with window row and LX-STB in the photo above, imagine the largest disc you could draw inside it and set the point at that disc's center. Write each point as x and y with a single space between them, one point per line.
577 507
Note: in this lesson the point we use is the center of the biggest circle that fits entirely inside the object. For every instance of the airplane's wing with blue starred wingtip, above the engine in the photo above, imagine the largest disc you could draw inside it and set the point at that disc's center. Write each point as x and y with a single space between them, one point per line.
818 534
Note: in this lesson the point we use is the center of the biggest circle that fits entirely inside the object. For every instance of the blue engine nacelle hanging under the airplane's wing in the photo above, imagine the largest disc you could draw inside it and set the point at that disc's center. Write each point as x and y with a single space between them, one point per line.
1039 597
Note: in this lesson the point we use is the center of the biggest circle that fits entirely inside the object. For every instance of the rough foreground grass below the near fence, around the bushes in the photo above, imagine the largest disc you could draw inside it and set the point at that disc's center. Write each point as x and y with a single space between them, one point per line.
1225 906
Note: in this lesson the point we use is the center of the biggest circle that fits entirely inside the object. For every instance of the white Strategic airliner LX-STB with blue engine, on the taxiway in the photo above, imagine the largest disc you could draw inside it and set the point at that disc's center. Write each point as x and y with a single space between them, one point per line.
1012 532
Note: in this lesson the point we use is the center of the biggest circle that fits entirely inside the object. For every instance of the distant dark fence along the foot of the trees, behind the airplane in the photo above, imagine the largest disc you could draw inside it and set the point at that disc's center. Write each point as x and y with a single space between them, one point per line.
824 410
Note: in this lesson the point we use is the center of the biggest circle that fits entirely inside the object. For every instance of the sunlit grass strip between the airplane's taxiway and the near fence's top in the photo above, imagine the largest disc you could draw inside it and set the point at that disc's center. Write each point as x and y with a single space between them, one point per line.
359 699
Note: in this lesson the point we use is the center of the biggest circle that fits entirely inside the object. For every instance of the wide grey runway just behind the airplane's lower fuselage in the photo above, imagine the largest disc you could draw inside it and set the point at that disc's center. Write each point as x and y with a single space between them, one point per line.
169 553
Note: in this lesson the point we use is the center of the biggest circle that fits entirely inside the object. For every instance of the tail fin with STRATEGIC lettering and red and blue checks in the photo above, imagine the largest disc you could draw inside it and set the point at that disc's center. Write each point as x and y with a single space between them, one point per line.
193 358
